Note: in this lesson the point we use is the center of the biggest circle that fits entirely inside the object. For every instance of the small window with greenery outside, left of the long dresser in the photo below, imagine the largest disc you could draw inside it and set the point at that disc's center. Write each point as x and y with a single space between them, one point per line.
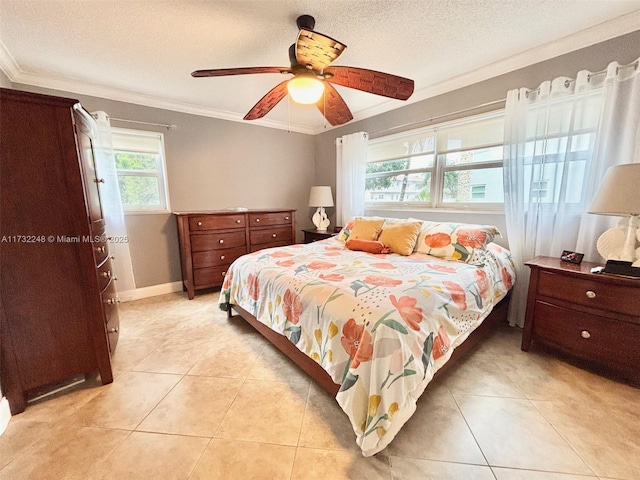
139 158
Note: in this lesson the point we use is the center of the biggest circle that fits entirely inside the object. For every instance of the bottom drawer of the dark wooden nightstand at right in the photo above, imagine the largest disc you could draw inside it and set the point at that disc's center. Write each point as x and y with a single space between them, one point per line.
592 338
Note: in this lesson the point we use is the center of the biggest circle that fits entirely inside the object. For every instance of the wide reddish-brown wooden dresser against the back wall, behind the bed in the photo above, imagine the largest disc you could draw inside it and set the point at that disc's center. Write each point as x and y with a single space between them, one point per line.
210 241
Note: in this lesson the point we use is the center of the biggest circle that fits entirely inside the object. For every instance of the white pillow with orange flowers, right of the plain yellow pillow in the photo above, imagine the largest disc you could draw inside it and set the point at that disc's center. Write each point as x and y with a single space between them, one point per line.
455 241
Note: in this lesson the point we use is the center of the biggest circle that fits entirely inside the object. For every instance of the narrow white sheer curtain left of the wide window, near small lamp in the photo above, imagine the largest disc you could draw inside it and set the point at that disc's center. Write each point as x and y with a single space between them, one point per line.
351 165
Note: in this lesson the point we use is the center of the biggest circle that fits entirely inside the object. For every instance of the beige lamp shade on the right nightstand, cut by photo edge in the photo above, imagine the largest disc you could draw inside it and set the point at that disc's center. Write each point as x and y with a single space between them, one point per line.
619 192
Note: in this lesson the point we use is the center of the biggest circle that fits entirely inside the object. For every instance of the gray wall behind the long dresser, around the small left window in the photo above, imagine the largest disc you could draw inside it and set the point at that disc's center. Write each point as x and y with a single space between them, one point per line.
211 164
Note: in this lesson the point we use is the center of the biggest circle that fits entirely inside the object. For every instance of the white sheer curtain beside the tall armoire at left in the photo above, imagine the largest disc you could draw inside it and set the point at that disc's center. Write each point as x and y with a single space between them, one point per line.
112 208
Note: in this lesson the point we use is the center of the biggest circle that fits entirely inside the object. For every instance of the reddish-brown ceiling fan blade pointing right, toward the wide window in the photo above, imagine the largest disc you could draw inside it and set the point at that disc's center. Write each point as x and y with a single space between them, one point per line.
371 81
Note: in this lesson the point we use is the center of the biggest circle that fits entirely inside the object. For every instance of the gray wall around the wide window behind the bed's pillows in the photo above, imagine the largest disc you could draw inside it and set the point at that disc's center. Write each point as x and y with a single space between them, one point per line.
624 49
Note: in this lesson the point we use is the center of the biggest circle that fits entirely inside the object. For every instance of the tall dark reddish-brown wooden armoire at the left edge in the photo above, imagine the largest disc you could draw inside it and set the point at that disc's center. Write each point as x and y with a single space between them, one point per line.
59 307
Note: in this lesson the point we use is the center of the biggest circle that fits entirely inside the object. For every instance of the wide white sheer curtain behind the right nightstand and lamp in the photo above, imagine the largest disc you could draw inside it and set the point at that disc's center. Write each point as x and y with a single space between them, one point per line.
559 141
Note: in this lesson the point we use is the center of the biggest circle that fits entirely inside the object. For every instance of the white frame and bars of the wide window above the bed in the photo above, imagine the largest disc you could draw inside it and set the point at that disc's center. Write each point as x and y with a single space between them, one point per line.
440 168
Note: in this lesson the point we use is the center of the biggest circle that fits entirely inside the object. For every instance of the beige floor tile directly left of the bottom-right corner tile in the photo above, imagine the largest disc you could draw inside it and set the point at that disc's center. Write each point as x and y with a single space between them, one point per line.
512 433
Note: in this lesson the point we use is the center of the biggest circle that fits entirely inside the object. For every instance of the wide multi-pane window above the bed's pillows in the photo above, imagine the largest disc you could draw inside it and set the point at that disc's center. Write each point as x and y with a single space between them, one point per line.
456 164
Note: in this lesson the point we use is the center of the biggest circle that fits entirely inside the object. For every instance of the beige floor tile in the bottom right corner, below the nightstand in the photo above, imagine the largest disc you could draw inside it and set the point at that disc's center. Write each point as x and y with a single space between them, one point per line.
608 439
